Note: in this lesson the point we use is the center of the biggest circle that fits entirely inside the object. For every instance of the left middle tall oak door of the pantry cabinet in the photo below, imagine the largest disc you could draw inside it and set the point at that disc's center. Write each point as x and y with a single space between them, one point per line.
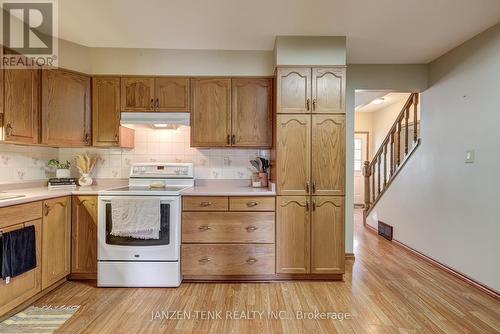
293 154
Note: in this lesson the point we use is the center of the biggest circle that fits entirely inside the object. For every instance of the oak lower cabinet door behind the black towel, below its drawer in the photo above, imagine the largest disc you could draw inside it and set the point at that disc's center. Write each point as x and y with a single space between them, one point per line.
24 286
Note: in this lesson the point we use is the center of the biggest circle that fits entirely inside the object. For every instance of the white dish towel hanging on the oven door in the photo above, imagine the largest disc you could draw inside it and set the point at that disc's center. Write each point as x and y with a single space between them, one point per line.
137 218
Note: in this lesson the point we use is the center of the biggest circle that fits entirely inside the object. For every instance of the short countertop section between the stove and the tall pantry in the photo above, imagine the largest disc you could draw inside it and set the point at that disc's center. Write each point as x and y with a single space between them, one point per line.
227 188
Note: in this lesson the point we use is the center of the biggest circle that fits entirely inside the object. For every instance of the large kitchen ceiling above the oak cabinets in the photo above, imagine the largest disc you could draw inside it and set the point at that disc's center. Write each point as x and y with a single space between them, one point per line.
378 32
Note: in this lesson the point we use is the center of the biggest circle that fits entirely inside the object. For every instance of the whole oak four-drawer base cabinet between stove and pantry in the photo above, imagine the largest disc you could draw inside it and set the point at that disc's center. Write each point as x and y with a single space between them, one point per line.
235 241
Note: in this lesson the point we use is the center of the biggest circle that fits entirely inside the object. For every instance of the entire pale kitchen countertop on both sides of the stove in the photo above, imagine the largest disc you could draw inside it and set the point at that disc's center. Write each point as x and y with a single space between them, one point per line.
37 192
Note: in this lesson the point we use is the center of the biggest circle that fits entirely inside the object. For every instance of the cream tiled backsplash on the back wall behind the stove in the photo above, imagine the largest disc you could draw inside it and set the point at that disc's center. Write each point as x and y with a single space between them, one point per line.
152 145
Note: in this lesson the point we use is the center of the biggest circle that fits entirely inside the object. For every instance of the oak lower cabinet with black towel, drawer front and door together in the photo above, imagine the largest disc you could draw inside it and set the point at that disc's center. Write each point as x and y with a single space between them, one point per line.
25 286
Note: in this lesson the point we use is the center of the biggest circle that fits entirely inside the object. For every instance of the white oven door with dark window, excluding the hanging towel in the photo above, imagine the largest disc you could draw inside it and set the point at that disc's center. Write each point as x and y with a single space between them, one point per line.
166 248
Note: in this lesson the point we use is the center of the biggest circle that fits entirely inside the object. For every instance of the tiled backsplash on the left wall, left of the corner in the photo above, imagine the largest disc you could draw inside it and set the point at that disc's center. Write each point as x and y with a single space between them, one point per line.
25 163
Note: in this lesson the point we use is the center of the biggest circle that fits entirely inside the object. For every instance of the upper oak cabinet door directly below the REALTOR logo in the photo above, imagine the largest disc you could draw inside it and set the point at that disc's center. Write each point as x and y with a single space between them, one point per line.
21 106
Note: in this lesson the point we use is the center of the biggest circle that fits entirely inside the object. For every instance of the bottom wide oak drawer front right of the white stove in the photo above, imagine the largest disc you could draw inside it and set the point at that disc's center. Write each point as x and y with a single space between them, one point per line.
228 259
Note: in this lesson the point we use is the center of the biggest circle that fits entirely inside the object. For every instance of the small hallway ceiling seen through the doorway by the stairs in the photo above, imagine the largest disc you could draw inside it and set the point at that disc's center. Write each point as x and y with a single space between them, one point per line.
363 99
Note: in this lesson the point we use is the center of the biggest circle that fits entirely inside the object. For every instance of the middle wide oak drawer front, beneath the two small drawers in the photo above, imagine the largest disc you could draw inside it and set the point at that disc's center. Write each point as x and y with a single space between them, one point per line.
228 227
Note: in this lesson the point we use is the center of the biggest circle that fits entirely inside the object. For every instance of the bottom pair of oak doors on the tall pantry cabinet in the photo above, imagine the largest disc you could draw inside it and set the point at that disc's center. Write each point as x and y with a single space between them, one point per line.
310 235
